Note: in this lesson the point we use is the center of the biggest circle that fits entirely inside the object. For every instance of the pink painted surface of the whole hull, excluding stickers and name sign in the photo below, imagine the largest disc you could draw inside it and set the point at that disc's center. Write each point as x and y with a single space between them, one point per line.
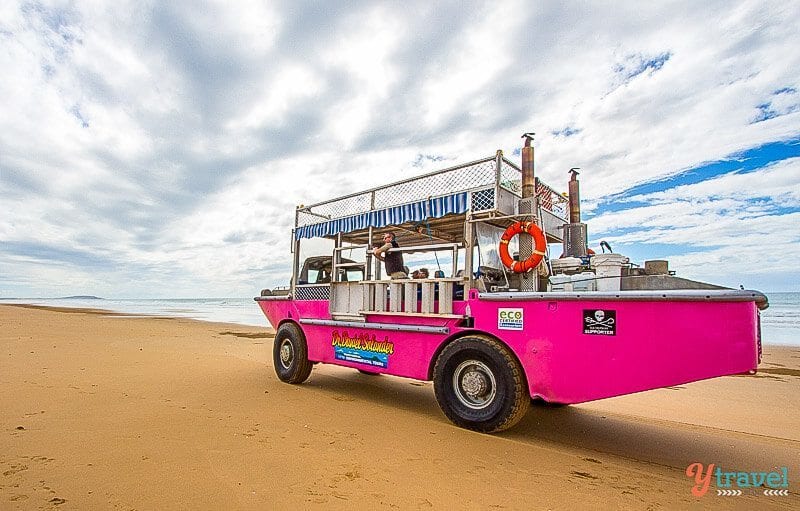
656 344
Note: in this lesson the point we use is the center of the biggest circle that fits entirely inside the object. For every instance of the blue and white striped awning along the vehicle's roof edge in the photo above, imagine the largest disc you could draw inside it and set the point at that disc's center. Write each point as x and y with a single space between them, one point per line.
395 215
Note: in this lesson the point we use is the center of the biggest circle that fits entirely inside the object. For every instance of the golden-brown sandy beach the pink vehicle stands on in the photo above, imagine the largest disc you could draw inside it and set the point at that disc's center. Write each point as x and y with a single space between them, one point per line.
107 411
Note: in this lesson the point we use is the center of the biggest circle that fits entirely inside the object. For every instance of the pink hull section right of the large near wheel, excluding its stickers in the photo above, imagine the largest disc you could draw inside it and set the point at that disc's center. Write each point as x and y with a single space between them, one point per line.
656 344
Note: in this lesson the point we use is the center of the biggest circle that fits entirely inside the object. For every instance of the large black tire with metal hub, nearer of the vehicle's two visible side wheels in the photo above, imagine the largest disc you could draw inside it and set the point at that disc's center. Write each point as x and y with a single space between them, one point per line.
480 385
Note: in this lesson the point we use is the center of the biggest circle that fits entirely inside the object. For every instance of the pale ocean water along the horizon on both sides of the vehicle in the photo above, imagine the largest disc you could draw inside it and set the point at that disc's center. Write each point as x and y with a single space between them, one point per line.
780 323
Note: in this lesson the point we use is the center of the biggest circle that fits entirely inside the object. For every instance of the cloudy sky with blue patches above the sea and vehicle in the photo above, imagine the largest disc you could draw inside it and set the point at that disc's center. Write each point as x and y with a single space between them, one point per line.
158 149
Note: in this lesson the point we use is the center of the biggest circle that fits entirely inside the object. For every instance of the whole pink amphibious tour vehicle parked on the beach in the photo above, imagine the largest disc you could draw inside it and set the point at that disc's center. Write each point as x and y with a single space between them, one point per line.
494 329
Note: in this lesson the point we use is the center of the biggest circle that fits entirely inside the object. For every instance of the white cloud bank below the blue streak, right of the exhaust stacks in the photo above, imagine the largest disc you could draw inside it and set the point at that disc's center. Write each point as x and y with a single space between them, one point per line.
735 227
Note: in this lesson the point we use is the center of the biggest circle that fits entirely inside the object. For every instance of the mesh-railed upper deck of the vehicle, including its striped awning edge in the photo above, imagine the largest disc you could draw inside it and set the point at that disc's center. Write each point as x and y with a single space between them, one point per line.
439 202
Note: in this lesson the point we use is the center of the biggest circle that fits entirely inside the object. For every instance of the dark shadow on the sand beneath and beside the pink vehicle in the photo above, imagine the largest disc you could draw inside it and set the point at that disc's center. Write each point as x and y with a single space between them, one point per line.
585 432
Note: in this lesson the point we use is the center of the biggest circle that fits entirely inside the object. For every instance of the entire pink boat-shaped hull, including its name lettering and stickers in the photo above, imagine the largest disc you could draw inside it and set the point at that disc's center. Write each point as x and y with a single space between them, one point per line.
570 353
